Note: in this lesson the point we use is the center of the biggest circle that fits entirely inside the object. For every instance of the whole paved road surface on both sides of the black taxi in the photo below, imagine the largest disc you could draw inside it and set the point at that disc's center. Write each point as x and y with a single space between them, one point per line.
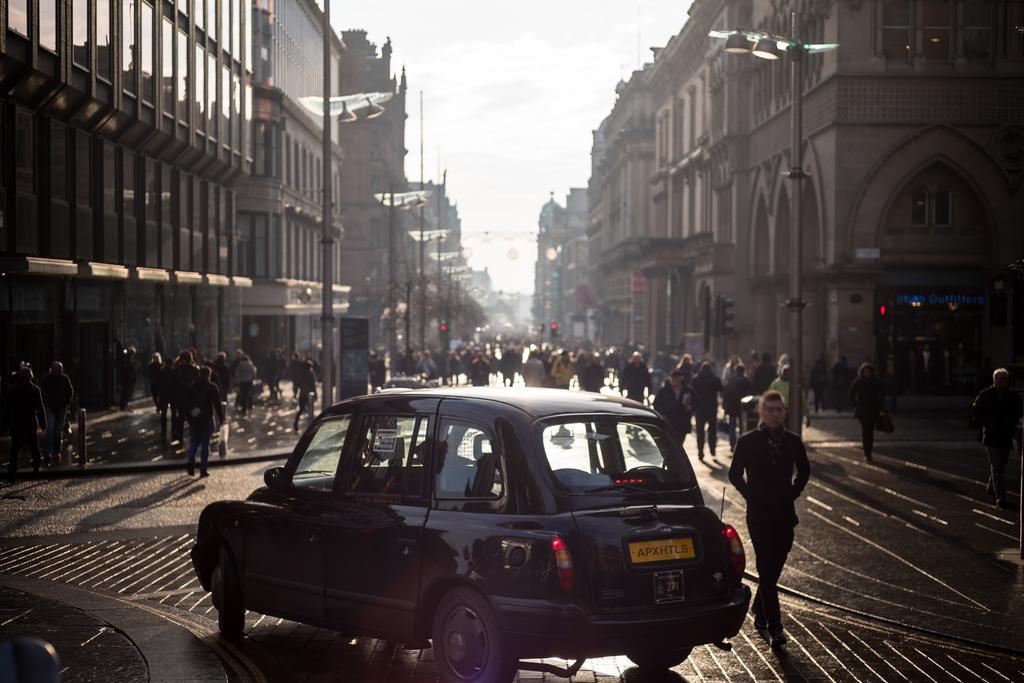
909 540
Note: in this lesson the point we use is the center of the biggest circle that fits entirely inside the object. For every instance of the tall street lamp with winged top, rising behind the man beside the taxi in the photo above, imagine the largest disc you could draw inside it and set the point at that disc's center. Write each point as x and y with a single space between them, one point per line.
770 47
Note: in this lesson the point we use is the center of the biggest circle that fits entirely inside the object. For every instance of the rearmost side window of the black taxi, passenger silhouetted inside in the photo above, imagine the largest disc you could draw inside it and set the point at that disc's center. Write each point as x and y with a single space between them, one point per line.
467 462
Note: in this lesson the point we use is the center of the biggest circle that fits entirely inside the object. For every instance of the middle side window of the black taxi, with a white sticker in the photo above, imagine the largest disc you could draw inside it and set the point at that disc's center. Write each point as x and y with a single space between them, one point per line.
390 454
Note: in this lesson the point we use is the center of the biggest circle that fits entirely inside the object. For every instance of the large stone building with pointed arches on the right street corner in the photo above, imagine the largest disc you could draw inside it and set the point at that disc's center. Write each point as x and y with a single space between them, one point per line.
913 208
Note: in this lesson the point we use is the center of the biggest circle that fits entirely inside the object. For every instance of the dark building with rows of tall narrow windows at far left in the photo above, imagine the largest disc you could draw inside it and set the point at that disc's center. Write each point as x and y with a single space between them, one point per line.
124 131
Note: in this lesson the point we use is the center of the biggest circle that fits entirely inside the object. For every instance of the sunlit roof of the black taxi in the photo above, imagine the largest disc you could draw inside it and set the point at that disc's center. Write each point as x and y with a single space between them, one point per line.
535 402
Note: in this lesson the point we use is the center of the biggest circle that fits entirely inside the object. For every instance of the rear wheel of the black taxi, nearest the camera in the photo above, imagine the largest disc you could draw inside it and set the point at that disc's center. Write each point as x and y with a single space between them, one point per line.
466 642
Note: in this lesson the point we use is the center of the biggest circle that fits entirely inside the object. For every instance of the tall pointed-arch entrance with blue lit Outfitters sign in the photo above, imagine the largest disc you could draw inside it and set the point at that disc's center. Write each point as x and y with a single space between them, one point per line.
930 301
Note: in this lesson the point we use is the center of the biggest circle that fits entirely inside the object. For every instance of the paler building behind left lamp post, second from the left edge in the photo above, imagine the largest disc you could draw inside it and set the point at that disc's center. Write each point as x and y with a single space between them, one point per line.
281 204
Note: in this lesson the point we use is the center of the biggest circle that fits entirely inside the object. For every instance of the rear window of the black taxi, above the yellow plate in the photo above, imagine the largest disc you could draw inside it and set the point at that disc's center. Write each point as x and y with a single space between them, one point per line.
595 455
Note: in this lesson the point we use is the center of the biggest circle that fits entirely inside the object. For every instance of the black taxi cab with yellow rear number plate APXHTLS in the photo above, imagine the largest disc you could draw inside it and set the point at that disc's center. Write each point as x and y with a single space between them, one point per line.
494 525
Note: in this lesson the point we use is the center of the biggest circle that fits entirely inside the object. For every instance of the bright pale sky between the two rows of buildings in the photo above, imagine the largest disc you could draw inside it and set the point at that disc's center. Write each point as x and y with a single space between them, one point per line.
513 94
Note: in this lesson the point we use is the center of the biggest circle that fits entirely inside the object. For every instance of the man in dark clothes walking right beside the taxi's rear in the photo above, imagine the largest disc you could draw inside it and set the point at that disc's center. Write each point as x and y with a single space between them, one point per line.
763 473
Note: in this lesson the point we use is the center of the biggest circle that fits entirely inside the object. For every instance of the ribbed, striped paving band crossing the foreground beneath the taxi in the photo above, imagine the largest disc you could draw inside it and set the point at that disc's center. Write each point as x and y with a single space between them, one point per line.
156 573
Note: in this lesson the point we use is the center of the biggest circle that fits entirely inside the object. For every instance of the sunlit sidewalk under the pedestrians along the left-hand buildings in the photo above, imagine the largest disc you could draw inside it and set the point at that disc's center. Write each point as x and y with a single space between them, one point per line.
118 441
